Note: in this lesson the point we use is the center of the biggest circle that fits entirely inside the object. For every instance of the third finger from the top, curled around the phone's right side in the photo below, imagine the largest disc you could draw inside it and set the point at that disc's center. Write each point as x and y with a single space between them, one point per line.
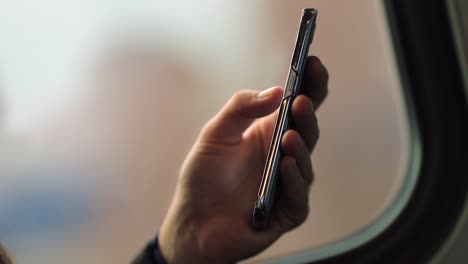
293 145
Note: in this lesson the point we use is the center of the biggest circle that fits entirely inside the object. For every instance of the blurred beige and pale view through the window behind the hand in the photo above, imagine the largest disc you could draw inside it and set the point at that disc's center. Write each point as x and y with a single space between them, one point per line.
100 102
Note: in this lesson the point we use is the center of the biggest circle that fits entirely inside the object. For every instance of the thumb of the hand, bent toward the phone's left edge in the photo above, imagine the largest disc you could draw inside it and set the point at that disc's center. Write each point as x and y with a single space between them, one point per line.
239 113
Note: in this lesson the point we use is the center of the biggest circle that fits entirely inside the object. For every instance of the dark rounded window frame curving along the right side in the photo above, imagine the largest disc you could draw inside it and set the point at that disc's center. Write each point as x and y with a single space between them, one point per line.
437 114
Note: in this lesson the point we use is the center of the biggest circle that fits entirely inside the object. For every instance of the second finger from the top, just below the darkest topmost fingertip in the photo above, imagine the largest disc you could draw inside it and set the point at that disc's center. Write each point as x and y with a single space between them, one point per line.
305 121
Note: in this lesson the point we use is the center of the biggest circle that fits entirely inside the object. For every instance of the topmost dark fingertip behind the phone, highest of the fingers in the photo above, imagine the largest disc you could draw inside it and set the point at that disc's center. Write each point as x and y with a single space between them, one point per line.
315 81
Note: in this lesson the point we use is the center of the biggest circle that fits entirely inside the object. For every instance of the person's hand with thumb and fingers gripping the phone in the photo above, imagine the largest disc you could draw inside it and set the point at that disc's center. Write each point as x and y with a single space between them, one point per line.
209 220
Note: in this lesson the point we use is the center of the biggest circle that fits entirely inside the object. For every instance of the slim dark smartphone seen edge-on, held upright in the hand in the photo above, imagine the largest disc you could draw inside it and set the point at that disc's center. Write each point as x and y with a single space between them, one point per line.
268 185
